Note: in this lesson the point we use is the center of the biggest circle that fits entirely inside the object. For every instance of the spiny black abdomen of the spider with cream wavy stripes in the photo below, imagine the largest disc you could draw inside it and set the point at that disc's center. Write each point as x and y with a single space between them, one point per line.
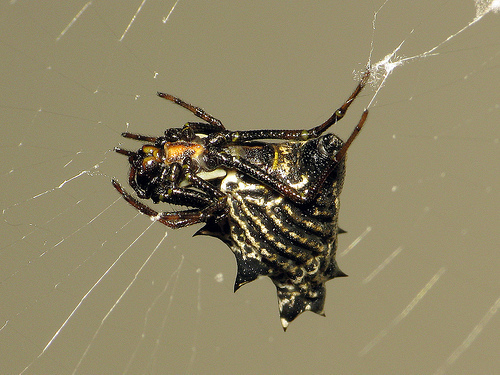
271 236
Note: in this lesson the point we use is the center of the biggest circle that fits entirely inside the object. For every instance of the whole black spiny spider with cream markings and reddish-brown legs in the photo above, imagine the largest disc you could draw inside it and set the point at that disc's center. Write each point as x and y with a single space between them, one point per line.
275 204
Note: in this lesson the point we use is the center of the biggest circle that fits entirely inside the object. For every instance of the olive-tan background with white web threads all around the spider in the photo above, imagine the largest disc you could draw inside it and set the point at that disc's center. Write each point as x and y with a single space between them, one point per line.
87 285
